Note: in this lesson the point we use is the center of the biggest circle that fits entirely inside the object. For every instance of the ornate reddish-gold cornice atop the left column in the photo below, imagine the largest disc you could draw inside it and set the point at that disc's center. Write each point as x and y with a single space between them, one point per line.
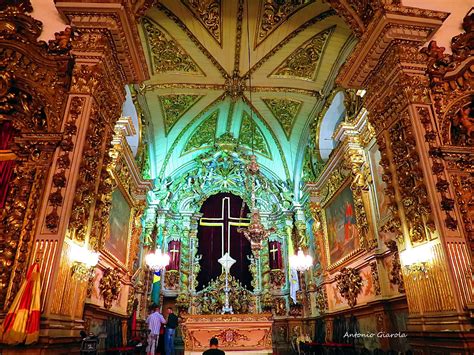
117 18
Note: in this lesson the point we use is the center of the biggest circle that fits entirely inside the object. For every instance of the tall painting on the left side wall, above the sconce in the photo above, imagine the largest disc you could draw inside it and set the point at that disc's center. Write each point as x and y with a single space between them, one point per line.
117 243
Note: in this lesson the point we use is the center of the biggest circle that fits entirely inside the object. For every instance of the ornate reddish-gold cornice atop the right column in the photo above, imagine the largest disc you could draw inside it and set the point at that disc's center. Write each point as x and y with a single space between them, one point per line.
391 24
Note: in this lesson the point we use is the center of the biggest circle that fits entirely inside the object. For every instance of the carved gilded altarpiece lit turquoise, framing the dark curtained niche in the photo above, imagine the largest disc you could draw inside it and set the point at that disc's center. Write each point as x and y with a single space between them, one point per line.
220 170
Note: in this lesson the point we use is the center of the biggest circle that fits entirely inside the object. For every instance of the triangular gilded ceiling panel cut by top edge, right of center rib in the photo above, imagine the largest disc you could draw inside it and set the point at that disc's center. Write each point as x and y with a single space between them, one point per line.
273 14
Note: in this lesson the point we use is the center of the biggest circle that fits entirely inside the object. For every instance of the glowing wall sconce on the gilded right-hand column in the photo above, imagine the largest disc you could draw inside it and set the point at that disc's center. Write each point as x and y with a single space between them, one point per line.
416 260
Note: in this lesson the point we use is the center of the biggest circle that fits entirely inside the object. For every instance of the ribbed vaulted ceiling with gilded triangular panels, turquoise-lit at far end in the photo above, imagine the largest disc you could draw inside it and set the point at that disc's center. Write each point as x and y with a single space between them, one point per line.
199 51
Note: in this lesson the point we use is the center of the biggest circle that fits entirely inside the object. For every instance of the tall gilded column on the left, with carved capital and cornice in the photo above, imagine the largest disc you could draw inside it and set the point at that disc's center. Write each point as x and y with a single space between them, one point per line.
74 210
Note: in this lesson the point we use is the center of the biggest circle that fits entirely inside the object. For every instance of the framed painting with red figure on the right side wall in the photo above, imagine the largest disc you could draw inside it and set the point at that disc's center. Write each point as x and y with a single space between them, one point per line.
341 227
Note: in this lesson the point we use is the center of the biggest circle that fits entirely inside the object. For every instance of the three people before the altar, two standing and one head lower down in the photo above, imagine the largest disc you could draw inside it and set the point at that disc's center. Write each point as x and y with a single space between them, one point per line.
155 323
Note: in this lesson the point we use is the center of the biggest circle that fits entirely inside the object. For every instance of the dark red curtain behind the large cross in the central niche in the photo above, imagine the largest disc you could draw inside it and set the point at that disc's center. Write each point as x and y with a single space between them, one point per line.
210 241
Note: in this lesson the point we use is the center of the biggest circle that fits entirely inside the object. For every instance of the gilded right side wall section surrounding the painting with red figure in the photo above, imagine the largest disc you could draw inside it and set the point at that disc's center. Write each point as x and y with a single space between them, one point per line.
355 267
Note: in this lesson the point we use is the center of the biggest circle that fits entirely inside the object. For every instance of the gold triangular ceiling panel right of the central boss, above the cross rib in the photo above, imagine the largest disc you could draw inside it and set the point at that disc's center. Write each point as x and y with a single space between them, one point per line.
303 62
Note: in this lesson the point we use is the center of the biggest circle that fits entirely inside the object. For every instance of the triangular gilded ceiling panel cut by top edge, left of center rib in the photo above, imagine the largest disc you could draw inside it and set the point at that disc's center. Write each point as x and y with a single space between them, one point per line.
209 13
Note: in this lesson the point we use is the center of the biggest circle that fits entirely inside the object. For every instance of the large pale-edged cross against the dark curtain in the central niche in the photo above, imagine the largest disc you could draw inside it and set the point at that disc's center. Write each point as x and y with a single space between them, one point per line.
225 221
